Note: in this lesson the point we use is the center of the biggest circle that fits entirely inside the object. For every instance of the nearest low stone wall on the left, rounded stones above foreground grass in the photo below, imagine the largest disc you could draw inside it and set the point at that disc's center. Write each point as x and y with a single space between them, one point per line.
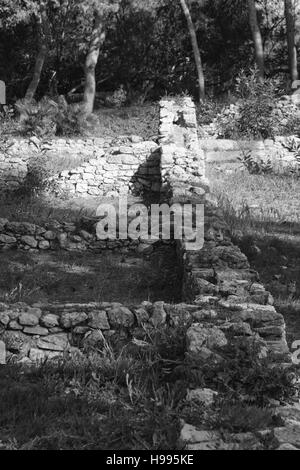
38 332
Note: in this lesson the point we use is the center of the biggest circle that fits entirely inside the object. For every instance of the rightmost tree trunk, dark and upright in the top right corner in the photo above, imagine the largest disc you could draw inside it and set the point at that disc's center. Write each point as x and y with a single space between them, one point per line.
290 32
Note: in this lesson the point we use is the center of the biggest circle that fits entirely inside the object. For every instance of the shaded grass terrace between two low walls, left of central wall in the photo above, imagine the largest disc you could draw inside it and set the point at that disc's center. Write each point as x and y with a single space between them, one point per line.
84 277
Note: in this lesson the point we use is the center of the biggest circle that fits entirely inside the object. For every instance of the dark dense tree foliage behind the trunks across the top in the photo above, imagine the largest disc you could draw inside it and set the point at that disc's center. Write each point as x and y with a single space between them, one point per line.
147 50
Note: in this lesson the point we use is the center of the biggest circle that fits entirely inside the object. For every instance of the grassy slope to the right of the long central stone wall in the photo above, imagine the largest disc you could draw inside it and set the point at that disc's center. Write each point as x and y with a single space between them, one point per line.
263 212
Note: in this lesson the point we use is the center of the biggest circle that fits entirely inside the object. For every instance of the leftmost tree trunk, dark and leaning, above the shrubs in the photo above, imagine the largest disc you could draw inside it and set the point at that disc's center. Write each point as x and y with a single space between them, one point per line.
44 34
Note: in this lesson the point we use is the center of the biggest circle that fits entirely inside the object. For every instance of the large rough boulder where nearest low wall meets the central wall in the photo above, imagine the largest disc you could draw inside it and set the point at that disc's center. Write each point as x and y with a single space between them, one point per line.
200 336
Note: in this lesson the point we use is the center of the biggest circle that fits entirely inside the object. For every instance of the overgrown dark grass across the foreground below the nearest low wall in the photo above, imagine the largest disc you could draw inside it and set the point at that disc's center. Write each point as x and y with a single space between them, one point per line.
134 398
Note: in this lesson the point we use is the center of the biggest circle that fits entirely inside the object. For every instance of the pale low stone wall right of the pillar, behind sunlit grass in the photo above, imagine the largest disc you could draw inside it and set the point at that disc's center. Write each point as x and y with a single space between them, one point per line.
228 152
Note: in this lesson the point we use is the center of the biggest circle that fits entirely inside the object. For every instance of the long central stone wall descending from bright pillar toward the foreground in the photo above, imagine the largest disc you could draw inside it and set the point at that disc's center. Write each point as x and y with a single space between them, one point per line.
218 276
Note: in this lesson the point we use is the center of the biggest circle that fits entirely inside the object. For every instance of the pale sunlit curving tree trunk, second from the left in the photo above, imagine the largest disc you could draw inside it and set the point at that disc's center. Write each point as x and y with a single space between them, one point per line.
97 39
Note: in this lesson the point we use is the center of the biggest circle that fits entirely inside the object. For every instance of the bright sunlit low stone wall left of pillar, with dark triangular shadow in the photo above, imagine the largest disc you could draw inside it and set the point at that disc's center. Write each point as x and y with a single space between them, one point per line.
98 167
